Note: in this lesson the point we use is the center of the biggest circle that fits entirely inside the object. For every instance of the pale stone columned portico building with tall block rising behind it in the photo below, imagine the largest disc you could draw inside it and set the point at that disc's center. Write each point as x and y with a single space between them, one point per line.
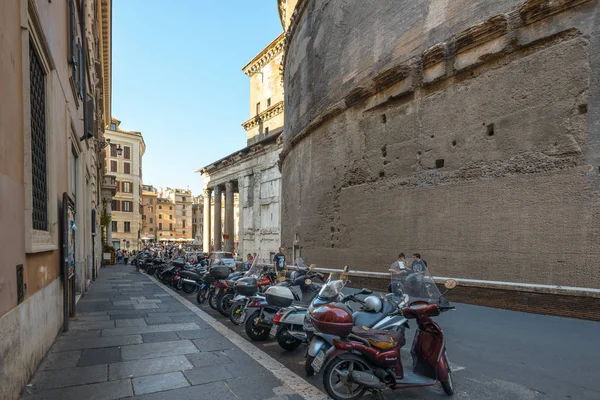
251 174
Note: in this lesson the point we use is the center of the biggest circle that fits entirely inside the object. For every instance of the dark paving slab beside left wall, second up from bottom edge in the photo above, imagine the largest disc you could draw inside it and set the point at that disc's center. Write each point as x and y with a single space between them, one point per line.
53 379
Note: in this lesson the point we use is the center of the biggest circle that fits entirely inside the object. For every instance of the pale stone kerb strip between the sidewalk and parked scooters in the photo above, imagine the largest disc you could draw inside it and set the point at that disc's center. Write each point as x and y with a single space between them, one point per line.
289 378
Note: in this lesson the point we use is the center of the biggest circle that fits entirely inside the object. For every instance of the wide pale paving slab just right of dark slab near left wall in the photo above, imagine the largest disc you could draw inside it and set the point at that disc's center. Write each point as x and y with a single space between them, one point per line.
131 369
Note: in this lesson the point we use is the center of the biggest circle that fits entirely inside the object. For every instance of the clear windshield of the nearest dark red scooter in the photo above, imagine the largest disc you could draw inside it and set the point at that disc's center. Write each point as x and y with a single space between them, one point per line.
415 281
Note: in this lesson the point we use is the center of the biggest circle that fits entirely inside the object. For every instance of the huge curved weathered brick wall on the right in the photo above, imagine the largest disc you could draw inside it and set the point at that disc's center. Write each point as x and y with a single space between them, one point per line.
466 131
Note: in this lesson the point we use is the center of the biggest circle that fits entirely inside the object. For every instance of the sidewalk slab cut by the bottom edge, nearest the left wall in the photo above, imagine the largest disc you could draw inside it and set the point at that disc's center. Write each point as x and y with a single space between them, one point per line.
111 390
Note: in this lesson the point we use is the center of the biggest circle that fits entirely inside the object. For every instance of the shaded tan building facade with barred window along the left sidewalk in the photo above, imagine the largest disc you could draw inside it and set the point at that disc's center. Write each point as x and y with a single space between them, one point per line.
55 63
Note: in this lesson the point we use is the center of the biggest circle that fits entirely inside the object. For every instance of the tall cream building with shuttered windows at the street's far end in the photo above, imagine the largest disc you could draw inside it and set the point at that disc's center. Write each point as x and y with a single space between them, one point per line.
124 161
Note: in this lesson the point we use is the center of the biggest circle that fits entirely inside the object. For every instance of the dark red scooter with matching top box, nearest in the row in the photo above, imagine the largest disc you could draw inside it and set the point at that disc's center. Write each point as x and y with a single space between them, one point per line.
364 359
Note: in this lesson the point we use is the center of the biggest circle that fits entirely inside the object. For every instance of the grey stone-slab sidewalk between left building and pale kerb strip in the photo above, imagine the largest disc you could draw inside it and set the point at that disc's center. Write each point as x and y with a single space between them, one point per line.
132 339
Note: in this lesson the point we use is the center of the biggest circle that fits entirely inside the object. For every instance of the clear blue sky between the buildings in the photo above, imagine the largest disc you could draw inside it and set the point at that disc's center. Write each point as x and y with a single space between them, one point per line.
177 79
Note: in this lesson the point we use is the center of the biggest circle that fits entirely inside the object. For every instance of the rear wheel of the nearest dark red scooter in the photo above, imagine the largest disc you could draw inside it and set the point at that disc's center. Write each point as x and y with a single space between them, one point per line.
336 377
